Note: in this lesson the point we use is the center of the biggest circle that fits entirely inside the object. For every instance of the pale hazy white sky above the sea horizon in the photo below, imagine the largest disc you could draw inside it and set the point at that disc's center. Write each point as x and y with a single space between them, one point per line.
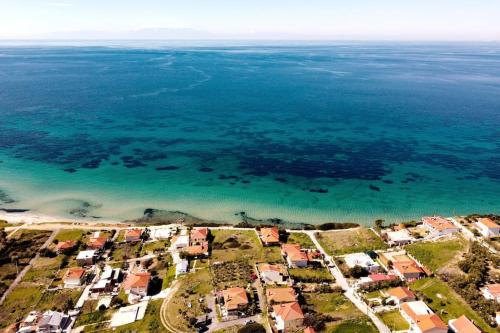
473 20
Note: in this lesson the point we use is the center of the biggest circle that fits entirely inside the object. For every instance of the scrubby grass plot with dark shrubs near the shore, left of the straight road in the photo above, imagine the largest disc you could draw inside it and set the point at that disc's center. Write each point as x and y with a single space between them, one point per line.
231 245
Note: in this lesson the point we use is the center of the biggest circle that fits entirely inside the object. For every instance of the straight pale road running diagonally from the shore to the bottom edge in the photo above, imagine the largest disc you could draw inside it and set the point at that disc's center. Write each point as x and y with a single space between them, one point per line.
350 293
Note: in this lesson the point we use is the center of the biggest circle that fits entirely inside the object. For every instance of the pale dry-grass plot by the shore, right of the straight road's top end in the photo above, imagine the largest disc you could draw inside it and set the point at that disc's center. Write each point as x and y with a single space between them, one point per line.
350 241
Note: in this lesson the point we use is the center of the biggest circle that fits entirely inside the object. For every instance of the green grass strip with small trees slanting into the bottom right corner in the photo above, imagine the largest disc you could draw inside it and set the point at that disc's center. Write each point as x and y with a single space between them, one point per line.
446 302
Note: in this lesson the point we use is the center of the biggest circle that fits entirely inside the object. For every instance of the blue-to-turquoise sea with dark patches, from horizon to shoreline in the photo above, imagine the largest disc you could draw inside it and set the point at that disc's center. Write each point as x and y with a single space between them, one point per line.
309 133
